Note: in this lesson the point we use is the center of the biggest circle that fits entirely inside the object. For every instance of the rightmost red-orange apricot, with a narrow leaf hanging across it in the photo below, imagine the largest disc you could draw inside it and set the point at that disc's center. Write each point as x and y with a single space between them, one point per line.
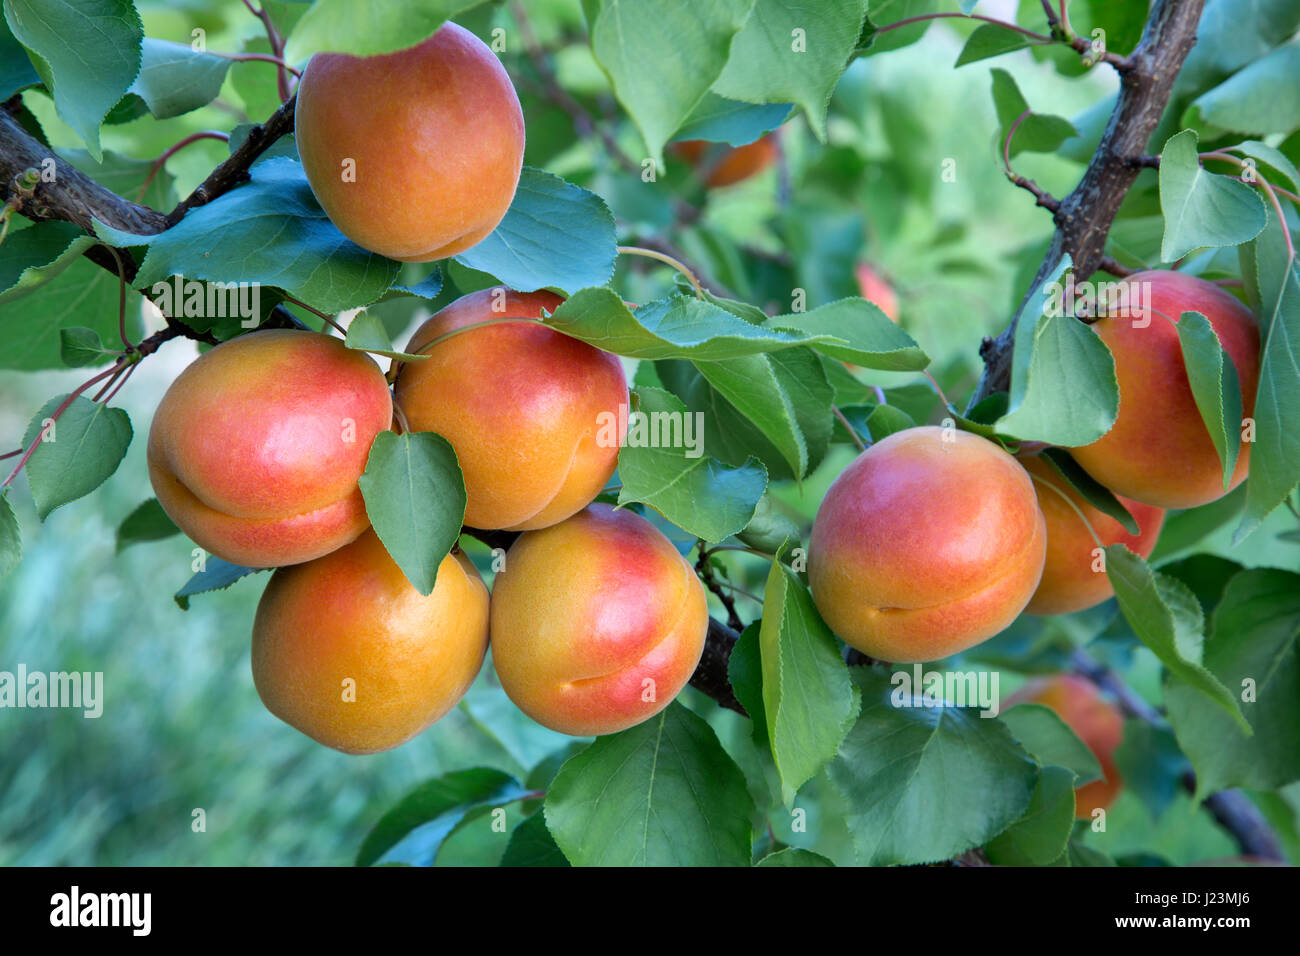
1159 451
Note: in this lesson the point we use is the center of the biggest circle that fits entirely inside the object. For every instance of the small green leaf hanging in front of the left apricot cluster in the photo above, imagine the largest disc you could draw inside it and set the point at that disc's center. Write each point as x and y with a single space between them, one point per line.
415 498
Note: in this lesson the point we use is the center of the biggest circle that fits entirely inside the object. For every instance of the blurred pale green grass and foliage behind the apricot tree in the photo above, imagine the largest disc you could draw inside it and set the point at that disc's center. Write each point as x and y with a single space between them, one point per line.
183 728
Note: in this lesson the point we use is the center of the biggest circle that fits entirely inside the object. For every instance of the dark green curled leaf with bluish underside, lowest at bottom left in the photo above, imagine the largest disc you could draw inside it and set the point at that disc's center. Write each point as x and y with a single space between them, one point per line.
414 830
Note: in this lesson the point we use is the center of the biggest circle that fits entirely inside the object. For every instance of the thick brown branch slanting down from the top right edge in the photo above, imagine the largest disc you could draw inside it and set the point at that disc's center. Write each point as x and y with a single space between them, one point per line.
1085 218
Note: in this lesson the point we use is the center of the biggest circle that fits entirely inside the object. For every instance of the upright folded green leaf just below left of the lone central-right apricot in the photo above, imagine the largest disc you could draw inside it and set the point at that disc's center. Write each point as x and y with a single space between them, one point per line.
808 697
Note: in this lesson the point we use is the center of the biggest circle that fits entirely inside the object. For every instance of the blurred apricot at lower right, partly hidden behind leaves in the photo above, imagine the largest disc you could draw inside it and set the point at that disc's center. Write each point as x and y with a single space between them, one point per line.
1094 720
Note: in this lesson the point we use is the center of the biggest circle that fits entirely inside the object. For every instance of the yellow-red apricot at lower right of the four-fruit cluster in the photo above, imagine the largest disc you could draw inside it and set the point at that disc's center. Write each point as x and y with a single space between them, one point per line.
597 624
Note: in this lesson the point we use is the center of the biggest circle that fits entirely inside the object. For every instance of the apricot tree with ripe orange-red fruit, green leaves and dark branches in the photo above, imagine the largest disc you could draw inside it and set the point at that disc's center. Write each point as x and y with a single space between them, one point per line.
756 482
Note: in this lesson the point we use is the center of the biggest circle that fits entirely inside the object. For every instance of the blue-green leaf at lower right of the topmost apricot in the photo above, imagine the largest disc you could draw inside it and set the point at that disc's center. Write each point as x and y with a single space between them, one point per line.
554 236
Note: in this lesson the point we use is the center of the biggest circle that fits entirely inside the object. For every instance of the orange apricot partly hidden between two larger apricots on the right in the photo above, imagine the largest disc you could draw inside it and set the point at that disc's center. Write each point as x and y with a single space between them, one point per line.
1072 577
